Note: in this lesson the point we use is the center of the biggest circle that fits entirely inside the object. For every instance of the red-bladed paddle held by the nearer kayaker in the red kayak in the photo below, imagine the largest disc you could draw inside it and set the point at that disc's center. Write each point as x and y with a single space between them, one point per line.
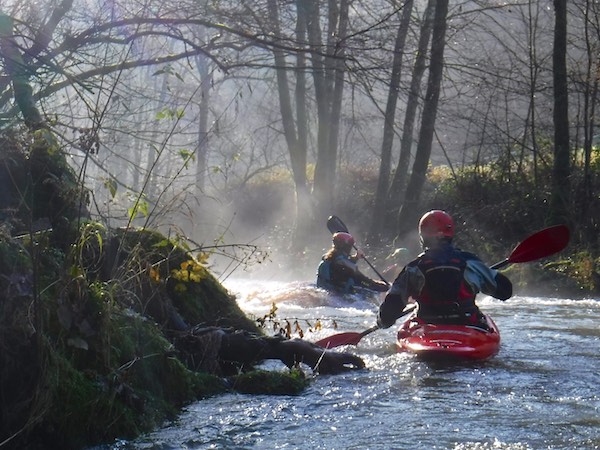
539 245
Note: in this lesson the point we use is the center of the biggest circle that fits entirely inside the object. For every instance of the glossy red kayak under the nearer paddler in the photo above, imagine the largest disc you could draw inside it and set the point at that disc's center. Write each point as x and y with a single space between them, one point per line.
443 342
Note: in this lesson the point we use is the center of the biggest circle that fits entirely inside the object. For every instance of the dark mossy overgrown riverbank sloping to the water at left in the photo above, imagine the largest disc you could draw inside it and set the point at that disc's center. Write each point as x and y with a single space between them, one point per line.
103 332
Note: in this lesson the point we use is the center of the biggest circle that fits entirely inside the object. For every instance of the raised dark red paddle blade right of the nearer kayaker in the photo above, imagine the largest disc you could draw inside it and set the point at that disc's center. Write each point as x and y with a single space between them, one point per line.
541 244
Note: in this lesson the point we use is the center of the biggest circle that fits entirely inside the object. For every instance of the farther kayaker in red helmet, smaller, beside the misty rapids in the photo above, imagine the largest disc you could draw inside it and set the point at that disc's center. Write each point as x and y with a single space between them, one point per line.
338 270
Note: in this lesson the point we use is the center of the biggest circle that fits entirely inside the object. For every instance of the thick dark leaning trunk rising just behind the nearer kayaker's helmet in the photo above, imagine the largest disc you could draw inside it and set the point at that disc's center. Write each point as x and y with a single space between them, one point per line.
410 209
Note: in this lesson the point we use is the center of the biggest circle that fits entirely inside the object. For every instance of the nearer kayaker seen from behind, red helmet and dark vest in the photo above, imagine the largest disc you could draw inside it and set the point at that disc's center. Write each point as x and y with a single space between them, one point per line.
443 280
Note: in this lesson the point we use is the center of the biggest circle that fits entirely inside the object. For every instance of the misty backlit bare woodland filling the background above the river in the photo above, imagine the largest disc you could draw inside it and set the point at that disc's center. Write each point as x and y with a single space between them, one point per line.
179 105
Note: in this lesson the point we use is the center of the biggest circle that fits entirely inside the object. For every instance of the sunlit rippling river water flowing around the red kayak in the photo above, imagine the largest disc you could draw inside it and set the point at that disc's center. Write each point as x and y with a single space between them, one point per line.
542 391
